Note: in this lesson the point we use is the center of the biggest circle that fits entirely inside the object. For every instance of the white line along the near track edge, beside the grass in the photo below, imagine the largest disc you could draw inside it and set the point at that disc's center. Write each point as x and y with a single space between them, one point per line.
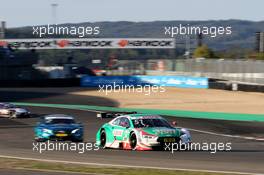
129 166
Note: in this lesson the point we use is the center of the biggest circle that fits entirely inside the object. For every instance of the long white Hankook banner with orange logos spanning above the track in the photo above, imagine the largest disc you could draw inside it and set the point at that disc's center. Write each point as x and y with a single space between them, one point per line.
89 43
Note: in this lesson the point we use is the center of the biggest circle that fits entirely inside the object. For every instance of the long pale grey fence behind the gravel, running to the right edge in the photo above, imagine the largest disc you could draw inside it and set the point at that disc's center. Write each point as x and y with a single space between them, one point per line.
248 71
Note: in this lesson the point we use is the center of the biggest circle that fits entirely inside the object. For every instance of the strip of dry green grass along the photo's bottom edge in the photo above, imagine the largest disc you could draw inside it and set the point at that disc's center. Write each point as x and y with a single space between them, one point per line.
10 163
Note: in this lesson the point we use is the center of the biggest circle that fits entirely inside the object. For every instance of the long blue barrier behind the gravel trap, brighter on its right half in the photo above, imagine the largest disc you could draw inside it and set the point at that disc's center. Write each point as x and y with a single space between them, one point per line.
170 81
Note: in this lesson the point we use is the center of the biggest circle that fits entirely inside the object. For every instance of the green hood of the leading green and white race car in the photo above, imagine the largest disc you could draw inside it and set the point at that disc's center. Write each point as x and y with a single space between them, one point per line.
163 131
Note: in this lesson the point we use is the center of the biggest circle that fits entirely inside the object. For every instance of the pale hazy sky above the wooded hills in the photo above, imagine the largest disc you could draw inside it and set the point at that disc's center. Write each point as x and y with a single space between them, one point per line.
35 12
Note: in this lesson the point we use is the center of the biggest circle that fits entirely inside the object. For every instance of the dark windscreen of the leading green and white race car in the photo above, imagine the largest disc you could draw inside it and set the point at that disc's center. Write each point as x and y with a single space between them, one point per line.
153 122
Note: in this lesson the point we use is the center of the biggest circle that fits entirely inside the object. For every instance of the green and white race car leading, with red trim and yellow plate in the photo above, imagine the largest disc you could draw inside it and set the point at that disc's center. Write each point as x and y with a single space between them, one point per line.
140 132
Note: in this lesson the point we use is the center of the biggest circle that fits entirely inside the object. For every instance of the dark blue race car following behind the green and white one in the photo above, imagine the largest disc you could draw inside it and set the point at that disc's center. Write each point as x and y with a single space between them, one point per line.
58 127
